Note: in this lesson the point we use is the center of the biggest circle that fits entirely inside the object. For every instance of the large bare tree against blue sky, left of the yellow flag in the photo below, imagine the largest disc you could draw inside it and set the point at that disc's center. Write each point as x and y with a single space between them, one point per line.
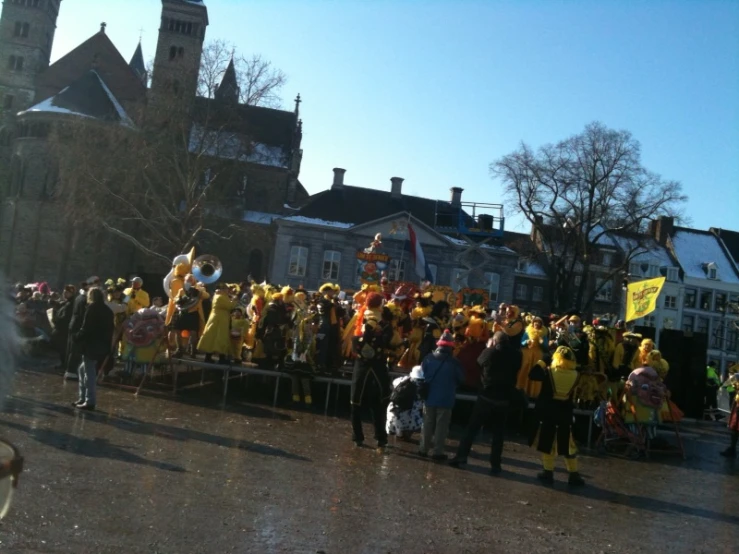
583 193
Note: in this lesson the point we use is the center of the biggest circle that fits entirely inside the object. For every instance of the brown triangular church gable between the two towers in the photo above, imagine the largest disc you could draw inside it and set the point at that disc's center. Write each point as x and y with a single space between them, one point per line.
98 53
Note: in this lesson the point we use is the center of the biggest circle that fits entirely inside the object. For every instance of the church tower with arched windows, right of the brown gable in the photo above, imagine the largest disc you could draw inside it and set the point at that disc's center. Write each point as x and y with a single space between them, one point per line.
179 49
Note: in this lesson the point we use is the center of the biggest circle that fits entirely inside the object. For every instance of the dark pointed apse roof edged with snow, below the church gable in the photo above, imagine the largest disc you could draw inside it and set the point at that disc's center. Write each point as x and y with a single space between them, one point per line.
88 96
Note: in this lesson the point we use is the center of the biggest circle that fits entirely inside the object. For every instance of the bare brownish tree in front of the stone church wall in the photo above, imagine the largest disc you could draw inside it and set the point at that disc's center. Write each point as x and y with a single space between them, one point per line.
161 188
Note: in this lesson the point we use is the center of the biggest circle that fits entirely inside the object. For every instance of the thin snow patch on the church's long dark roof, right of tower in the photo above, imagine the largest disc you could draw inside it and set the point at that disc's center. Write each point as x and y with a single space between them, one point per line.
231 146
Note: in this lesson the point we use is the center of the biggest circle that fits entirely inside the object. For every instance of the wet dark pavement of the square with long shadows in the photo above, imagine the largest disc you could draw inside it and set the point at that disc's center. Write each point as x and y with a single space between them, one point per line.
182 474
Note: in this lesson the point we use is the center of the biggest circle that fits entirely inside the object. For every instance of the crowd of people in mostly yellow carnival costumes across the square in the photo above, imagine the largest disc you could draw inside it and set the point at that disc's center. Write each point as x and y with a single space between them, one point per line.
504 356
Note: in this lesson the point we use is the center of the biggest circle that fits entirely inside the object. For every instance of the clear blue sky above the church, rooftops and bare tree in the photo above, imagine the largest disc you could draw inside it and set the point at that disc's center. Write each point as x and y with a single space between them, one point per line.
434 91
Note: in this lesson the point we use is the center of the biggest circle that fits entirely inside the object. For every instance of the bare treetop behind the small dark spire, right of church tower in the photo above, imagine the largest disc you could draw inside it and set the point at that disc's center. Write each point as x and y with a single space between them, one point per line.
259 81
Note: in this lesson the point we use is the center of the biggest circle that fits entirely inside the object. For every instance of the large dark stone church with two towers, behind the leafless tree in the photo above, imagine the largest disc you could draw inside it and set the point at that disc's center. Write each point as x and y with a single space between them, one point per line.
94 82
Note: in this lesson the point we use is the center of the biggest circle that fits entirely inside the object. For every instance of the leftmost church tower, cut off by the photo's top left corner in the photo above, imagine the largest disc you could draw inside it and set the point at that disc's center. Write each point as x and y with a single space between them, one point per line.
27 30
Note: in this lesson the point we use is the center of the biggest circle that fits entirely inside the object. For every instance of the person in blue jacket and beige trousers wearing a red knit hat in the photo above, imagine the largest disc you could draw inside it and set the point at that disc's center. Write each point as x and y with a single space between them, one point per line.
442 373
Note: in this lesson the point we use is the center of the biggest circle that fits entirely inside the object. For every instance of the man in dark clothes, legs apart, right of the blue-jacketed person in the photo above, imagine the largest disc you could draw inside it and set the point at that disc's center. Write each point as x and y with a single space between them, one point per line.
500 363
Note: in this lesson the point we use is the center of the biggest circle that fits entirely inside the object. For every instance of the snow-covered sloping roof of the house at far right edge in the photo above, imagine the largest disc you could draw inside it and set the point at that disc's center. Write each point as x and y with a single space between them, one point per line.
695 249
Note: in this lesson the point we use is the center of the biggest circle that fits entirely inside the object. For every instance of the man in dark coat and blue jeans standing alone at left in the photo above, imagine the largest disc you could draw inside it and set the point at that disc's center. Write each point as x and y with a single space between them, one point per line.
95 341
